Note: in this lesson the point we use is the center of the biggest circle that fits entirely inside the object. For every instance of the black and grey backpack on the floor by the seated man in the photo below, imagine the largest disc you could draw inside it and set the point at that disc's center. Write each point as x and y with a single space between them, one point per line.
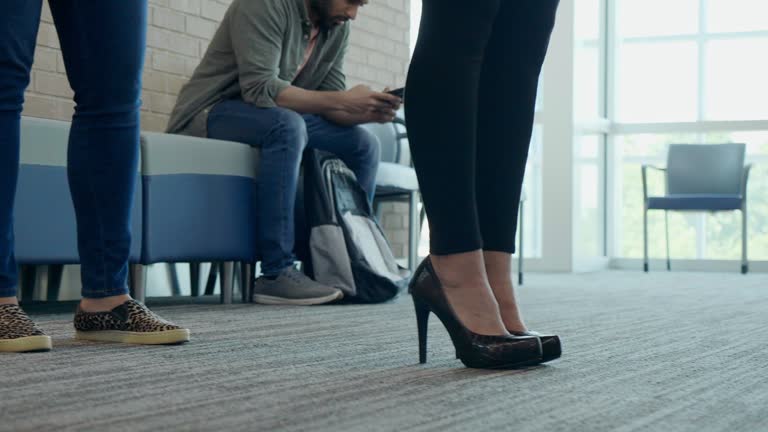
337 237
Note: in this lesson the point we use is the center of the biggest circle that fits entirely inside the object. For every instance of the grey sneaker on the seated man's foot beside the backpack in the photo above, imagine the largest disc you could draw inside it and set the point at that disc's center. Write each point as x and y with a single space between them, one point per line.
292 287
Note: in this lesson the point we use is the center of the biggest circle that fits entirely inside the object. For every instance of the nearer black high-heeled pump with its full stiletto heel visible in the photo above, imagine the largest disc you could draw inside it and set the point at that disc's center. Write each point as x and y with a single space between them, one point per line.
474 350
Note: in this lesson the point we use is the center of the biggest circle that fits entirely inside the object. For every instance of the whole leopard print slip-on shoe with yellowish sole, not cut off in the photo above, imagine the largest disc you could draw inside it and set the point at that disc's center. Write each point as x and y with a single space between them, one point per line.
132 323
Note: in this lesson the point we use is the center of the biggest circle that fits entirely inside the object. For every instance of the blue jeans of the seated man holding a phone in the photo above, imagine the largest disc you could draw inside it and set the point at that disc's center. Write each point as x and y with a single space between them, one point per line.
282 135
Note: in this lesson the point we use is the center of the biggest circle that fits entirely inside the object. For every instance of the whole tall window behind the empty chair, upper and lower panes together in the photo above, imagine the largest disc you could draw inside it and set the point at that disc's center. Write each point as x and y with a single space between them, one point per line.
688 71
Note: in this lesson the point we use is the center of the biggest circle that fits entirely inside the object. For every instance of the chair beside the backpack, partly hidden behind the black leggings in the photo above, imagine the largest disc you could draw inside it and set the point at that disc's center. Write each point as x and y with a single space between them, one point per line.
396 179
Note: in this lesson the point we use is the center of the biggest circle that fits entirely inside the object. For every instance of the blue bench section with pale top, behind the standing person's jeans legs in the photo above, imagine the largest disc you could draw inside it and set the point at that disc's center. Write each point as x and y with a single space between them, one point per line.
44 217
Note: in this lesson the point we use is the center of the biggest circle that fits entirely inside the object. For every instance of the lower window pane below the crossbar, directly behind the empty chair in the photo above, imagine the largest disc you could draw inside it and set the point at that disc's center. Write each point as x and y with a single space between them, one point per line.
693 235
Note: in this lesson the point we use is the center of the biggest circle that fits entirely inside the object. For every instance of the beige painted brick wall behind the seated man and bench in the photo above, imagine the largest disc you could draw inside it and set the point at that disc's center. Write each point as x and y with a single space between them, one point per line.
177 37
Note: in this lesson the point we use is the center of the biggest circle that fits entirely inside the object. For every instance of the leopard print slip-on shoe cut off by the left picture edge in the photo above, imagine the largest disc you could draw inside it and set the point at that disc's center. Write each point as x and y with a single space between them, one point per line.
18 333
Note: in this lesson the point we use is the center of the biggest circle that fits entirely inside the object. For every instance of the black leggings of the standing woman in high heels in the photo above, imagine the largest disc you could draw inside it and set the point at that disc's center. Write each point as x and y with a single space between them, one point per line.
469 107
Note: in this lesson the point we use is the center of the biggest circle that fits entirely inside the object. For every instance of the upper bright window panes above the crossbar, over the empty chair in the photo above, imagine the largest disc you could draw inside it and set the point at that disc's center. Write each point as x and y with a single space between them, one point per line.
691 60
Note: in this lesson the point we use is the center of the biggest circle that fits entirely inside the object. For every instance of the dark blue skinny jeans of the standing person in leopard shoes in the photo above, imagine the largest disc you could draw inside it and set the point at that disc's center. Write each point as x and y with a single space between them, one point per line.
102 43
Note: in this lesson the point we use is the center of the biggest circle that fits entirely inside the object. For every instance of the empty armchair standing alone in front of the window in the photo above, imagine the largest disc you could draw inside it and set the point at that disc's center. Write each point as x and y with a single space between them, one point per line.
700 177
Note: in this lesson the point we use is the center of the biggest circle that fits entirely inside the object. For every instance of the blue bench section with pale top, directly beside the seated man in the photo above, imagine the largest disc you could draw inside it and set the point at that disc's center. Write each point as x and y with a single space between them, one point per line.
199 199
